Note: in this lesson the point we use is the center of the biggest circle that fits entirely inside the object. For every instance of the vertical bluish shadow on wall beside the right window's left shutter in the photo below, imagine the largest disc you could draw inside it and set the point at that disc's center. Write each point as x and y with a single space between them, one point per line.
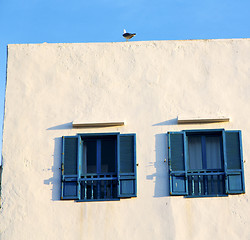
160 176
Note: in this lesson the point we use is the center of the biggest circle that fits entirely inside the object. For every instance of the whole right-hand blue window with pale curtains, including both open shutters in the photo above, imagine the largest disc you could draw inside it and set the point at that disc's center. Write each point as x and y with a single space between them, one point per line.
205 163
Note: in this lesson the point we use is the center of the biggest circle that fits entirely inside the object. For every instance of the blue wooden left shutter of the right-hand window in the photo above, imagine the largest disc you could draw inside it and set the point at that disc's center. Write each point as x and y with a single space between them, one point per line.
177 163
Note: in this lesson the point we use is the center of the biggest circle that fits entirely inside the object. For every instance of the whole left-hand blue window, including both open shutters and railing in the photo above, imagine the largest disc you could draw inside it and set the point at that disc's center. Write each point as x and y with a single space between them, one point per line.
98 167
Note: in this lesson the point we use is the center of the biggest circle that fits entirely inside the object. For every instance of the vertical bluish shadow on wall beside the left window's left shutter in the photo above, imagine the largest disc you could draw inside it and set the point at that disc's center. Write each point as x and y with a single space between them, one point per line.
56 169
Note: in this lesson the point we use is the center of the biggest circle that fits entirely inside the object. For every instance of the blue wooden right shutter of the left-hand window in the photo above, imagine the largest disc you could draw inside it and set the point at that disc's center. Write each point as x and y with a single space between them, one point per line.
127 165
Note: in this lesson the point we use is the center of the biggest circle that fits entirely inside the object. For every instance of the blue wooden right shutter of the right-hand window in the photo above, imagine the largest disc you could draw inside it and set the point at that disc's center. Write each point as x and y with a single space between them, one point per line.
234 173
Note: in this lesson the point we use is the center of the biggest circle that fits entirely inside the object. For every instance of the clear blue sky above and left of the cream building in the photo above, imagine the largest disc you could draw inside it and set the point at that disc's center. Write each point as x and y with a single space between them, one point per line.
37 21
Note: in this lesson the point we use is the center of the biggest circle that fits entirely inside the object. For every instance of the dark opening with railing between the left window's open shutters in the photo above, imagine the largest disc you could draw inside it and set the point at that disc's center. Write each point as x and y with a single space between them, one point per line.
99 180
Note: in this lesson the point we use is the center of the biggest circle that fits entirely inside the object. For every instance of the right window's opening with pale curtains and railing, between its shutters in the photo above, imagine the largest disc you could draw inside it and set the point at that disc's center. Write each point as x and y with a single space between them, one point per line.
205 164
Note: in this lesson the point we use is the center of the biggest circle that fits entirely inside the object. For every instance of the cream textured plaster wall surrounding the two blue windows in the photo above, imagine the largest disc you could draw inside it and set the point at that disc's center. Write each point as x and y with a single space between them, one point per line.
146 84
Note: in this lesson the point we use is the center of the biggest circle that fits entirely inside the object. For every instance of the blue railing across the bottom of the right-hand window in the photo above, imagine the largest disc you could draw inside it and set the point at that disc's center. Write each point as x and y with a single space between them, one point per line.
206 183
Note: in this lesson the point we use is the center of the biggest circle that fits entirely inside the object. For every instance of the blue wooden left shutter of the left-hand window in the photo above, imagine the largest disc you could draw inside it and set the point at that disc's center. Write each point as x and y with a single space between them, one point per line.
69 186
